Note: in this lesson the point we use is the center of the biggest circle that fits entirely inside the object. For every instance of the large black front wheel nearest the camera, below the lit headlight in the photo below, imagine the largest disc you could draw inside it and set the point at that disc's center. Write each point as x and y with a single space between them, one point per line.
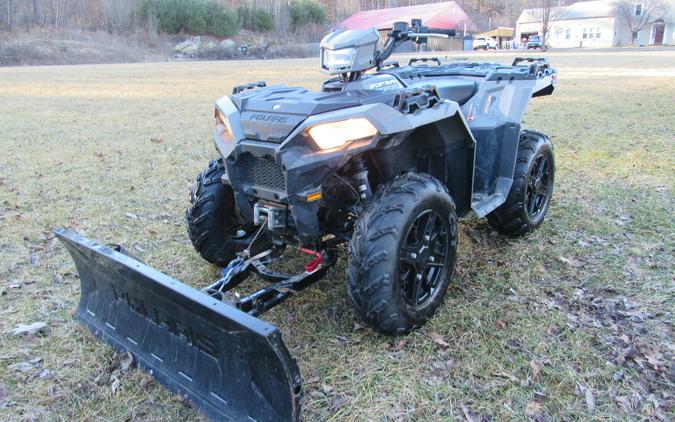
402 254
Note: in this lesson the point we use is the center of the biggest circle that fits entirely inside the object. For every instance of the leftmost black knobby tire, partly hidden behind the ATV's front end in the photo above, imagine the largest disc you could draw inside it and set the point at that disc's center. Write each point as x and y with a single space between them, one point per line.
211 221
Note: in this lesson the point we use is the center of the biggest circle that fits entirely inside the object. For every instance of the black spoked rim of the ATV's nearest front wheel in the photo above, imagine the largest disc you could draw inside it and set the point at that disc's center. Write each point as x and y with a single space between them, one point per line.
423 255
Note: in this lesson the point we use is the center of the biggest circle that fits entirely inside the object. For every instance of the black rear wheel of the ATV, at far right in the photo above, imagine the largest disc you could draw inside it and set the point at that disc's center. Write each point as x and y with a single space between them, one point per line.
532 189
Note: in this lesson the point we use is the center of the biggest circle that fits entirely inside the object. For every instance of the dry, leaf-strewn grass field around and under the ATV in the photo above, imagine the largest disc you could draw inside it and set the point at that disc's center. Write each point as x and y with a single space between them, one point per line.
574 322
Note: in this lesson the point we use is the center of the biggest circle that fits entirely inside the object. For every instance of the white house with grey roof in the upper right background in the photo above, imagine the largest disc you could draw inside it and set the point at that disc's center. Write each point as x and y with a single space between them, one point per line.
593 24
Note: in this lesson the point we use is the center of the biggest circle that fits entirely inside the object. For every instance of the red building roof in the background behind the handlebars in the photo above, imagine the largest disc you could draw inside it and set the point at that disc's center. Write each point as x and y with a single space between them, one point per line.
445 15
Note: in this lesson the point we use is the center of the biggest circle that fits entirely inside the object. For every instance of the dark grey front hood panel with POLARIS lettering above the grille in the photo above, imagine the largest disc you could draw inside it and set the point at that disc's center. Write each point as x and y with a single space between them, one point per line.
271 113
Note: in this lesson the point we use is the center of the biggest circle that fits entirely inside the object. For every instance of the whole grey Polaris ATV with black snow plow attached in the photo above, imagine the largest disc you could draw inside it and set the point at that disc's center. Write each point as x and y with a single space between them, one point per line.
384 160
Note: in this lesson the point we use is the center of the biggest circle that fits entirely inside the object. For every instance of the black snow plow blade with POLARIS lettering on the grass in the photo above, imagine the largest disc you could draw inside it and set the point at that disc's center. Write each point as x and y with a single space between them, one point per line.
229 364
